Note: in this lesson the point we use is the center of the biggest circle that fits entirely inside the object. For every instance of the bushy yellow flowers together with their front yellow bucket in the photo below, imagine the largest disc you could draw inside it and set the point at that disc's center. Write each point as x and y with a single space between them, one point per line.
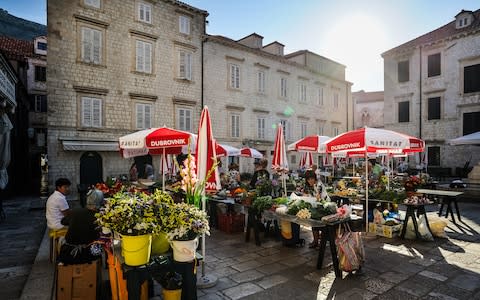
133 217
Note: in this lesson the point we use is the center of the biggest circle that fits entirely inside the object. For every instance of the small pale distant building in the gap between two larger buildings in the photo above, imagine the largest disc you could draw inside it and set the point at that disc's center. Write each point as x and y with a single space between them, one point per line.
368 109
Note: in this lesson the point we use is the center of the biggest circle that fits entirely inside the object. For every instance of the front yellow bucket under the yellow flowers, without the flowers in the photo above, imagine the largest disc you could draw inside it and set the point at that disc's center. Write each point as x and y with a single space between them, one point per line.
136 249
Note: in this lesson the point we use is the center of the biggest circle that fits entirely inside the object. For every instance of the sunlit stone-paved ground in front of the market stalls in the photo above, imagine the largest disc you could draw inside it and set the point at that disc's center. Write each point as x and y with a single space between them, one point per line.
395 268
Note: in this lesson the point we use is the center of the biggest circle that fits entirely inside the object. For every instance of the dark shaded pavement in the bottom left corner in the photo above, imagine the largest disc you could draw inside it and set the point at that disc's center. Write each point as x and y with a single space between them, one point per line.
20 236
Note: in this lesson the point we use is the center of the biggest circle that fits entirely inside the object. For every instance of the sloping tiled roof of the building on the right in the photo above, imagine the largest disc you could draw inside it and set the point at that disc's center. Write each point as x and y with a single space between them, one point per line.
438 34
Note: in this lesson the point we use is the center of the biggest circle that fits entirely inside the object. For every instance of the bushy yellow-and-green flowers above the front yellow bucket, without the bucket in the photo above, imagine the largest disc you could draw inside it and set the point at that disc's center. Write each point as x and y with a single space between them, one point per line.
129 214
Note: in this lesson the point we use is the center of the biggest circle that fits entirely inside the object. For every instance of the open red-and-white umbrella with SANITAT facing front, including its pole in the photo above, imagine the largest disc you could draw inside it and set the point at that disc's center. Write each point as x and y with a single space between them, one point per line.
373 140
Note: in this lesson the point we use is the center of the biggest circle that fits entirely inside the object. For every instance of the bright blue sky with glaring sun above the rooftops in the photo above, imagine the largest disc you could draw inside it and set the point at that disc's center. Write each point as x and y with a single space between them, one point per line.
352 32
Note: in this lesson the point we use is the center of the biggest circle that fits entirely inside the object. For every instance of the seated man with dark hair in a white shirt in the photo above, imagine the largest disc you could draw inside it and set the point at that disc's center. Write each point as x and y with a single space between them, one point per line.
57 206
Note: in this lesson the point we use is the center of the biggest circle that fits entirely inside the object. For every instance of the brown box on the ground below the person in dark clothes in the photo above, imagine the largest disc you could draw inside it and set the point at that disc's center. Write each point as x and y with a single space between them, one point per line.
77 282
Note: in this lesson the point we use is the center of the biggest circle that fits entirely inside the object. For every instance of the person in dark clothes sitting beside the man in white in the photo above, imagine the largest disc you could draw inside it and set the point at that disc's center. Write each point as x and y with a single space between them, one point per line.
82 231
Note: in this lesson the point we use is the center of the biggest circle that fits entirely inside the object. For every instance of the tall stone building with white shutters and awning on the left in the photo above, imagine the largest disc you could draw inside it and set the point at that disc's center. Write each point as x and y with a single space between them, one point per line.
115 67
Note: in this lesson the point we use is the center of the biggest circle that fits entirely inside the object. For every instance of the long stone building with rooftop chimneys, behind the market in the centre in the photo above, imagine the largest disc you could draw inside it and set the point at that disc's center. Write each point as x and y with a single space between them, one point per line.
251 87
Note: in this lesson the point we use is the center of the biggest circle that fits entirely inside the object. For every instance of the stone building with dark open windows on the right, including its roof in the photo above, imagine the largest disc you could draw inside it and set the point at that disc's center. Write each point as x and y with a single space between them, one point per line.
432 89
